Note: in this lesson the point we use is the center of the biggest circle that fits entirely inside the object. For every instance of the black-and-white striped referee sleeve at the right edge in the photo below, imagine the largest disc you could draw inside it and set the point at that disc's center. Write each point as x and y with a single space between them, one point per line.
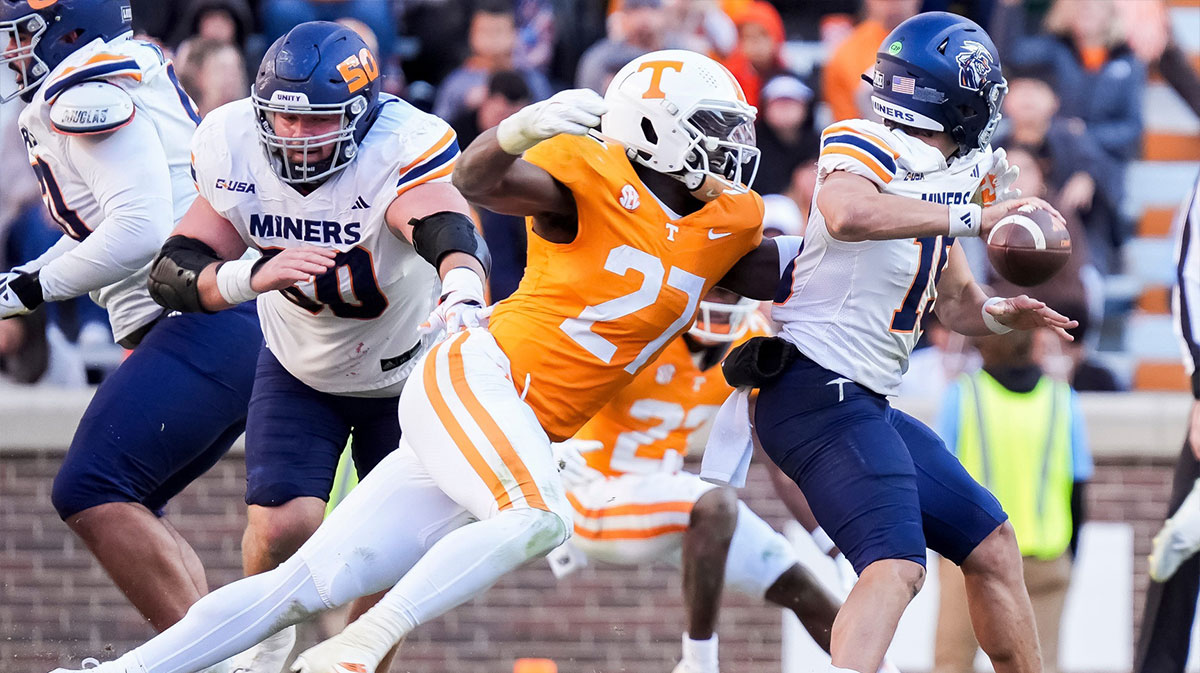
1187 286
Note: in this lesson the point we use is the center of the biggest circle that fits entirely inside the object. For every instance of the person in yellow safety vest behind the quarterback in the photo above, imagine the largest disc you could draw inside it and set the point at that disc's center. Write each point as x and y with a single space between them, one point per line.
1021 434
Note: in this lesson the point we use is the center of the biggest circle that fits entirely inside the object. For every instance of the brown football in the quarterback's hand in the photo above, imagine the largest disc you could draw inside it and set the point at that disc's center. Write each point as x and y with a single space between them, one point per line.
1029 248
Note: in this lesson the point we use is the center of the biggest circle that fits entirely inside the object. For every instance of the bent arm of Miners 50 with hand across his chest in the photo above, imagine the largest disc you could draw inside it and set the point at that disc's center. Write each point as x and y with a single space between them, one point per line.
185 277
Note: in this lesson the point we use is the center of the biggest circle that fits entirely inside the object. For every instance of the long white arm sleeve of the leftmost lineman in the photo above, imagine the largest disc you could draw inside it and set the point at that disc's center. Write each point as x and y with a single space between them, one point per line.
129 177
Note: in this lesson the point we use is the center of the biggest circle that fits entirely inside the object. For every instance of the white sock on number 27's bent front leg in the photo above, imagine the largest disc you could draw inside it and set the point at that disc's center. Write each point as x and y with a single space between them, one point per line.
457 569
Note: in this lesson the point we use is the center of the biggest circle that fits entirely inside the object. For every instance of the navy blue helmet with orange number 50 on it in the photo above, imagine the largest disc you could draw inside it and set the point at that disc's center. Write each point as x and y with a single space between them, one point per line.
317 69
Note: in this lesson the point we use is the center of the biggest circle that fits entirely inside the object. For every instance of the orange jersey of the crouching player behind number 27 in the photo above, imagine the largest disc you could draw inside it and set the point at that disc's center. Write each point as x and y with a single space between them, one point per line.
659 411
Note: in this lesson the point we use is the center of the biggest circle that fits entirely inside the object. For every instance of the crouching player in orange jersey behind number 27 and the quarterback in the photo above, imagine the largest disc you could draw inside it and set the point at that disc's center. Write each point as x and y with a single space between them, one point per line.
634 506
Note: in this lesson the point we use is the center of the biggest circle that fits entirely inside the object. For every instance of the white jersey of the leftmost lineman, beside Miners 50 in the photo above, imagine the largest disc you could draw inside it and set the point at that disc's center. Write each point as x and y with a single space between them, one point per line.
87 193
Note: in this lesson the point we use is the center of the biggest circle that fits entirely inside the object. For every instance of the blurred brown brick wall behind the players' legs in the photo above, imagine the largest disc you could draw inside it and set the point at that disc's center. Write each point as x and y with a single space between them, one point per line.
57 605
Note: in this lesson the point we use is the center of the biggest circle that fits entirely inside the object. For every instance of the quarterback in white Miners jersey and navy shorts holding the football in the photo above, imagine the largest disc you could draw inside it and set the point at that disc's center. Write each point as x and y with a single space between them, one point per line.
879 250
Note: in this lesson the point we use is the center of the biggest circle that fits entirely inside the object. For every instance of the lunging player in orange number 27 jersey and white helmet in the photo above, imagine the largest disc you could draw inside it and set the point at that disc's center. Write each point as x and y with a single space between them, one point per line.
628 232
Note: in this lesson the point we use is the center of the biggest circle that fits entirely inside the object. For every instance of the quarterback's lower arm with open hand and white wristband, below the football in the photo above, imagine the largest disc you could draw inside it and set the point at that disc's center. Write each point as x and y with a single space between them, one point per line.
962 305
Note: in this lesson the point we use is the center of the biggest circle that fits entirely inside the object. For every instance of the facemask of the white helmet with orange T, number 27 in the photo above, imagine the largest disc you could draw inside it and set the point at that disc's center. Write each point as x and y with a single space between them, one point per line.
722 155
